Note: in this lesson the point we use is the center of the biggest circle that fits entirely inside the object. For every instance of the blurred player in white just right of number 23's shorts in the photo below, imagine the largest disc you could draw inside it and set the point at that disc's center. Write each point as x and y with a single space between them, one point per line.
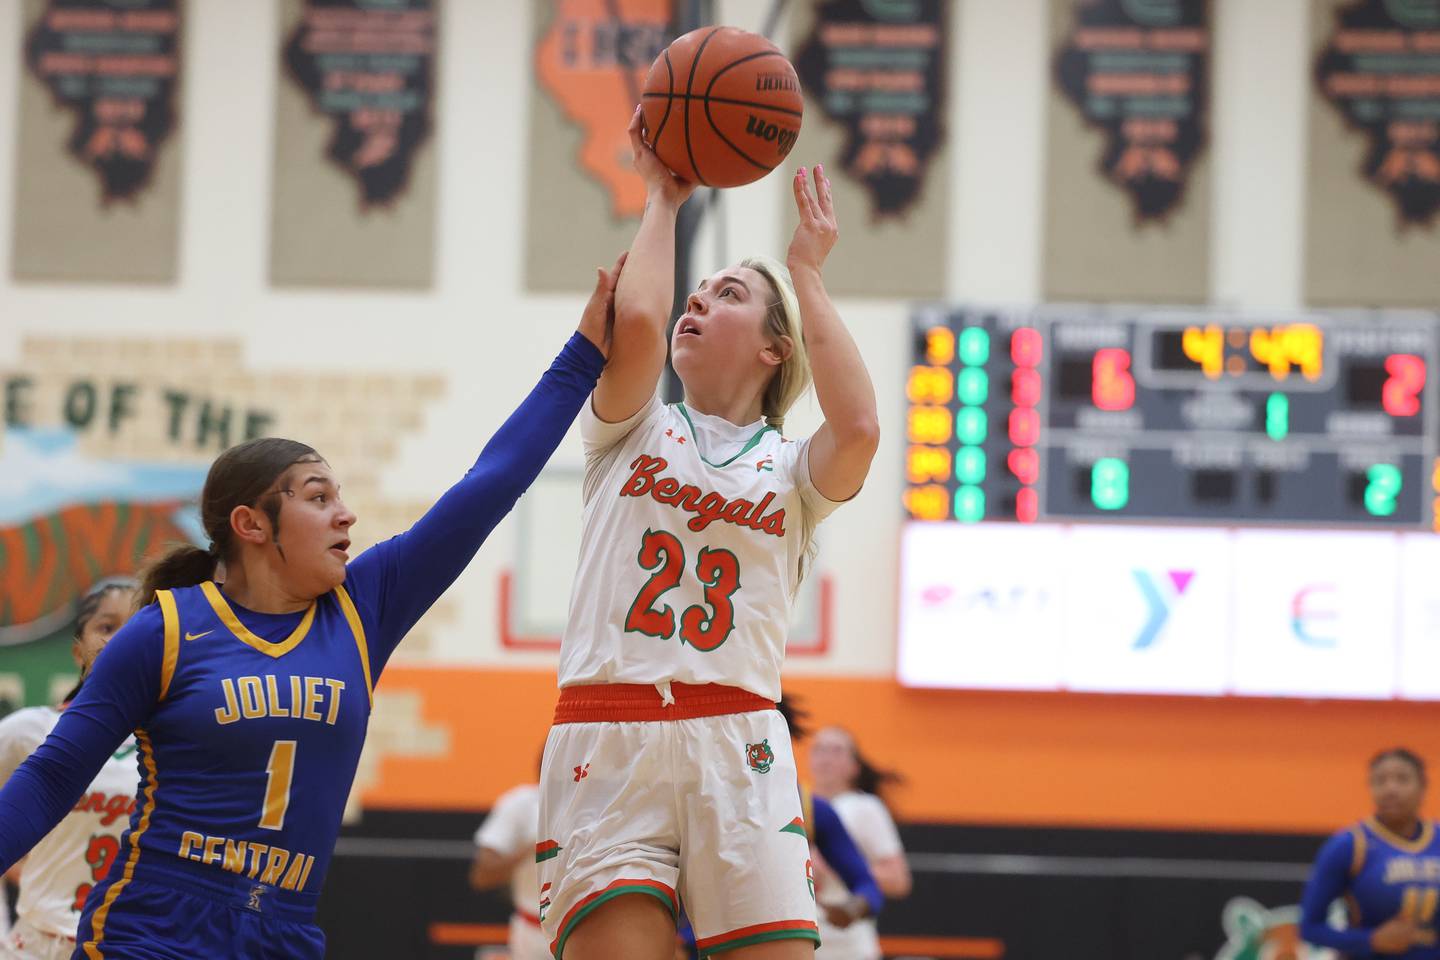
842 775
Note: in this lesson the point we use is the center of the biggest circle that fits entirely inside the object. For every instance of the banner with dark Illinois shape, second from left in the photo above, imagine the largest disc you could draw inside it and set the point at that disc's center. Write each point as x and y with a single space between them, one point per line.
355 159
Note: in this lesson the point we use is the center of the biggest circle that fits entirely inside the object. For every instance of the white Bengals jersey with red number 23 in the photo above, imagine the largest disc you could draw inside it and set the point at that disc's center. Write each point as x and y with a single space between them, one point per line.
695 532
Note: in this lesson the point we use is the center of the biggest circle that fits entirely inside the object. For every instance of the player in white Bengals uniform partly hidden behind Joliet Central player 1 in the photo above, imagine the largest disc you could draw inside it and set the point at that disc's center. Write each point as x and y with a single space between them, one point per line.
61 870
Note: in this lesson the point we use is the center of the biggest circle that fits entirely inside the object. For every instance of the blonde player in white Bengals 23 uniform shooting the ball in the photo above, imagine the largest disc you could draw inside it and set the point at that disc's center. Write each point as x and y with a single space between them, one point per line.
669 774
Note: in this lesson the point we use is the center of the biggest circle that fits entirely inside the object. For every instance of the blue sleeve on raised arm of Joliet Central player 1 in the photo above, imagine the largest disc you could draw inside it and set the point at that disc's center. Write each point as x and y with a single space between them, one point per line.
400 579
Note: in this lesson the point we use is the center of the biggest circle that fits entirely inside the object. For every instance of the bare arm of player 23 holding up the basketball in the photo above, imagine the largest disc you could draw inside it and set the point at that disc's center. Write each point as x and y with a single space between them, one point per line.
646 293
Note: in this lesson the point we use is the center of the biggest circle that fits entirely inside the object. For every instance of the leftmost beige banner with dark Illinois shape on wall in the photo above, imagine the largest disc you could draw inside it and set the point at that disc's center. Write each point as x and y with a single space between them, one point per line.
99 173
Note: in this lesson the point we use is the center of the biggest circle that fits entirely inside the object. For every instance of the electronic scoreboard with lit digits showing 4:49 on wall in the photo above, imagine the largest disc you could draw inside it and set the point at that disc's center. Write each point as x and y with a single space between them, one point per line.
1075 414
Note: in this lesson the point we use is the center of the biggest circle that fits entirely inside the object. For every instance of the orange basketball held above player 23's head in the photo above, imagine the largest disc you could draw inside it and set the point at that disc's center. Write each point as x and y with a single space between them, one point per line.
722 107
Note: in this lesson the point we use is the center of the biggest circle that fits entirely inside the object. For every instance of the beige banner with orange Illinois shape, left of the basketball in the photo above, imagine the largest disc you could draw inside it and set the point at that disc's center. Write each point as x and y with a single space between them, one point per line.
584 198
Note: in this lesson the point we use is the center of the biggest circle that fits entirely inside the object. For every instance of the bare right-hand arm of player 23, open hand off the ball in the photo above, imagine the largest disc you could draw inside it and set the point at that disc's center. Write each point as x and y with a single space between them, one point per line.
845 445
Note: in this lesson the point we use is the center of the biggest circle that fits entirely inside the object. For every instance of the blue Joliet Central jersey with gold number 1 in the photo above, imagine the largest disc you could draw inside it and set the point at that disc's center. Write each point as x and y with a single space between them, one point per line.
279 723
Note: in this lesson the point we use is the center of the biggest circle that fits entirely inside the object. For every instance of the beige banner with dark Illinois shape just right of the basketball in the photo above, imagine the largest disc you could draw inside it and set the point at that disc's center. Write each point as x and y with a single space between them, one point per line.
875 76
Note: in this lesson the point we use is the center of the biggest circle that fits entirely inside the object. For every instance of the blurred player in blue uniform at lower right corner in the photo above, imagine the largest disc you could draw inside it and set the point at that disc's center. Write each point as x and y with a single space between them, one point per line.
1387 870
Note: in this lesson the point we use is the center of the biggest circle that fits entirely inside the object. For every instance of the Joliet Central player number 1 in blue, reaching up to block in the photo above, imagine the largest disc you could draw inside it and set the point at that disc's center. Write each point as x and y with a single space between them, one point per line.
250 697
